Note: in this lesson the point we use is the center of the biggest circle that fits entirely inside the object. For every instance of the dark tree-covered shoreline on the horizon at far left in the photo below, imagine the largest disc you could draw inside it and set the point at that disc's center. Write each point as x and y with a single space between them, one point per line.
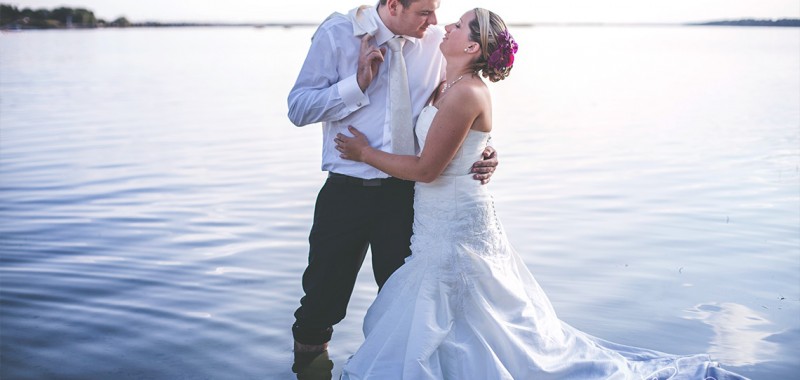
12 17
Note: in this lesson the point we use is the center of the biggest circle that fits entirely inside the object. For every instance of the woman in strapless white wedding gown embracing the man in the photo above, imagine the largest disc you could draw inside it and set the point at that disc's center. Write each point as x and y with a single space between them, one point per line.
464 305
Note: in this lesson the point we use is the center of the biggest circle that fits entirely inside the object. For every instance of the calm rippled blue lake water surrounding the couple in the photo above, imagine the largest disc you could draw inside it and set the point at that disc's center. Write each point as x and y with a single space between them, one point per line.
155 200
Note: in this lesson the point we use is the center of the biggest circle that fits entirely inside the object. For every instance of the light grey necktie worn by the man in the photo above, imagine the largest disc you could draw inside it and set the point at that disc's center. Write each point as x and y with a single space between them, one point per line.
400 107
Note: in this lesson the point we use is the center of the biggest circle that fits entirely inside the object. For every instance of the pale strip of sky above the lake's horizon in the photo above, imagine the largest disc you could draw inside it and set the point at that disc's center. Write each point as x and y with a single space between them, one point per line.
647 11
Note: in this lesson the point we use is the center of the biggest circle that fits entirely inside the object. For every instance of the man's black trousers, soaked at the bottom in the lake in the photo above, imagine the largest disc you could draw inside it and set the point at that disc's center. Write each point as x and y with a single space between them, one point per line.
350 215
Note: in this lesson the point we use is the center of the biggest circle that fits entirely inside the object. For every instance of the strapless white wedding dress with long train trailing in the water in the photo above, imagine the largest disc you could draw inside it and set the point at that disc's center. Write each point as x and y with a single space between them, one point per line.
464 305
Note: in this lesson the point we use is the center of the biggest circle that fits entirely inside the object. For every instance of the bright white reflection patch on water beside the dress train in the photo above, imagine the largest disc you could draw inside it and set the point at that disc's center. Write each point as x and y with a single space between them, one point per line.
740 334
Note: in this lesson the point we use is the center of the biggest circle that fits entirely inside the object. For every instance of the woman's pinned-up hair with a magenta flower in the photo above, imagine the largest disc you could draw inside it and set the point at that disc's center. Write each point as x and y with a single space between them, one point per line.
497 45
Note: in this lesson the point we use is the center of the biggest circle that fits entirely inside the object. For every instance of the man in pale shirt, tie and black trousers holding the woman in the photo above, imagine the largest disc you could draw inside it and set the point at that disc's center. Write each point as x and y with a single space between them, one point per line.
360 206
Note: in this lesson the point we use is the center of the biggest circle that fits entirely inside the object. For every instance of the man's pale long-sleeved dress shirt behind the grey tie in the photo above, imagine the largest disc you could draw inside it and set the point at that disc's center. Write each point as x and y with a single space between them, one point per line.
326 89
